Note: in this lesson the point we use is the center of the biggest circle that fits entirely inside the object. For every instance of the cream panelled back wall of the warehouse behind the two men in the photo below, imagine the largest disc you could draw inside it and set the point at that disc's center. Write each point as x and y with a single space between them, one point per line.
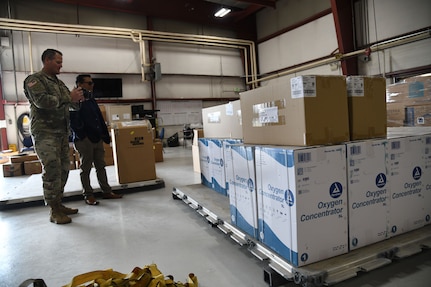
188 71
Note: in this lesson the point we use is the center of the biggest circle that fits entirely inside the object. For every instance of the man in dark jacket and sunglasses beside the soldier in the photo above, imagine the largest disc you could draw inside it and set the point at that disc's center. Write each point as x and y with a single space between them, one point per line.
89 132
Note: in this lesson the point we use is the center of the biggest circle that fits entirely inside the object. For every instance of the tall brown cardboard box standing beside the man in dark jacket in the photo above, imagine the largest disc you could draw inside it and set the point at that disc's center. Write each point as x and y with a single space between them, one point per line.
133 151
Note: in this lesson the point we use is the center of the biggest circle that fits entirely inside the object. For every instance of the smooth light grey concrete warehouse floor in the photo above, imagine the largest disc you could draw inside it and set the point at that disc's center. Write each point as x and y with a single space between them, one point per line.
149 227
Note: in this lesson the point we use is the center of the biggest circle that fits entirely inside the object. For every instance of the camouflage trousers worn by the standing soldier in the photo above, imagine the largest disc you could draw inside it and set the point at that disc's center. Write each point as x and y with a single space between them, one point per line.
53 152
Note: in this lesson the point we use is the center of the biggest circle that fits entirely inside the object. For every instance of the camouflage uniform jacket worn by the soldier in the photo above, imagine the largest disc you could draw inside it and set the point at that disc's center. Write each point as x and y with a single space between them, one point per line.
49 104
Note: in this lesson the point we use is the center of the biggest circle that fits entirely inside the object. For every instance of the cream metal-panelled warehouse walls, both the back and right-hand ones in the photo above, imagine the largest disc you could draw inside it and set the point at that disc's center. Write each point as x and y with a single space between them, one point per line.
196 72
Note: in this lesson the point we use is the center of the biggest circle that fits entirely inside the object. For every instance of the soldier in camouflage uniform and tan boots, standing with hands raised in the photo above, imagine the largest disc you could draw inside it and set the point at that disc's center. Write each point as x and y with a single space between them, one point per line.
50 101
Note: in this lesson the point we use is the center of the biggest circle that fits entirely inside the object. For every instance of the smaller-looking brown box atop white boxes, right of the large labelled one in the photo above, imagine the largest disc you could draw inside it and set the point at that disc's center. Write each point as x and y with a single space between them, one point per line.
367 107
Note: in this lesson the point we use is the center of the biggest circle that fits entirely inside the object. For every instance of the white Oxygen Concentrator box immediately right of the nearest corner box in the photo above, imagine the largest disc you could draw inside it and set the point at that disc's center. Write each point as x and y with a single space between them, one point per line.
368 192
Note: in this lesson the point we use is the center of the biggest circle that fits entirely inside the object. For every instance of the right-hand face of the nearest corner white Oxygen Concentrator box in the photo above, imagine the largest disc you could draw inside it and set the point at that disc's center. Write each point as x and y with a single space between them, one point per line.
318 186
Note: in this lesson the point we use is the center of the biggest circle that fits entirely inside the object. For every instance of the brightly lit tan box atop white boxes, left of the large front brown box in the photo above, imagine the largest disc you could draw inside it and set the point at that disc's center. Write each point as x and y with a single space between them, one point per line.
223 121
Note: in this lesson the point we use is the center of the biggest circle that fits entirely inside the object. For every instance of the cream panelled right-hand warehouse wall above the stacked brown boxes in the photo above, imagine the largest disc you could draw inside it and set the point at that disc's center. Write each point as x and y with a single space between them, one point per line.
375 21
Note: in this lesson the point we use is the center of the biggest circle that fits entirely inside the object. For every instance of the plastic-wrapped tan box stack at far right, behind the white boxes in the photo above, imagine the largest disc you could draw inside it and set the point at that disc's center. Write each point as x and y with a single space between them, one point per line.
409 102
